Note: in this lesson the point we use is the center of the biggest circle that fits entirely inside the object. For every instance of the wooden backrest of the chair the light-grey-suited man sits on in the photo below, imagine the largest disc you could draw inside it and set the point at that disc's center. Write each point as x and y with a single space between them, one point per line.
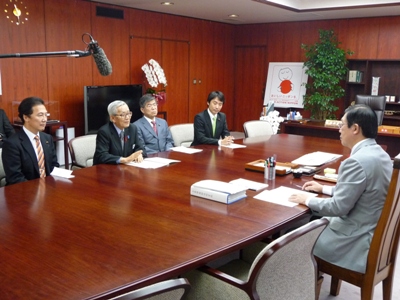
384 244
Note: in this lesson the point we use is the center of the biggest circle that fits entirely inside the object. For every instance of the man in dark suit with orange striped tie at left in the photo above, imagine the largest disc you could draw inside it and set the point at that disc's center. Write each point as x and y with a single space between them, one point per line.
22 154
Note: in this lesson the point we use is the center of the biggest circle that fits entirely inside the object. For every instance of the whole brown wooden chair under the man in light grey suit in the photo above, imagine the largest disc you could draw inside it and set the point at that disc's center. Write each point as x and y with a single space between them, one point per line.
382 252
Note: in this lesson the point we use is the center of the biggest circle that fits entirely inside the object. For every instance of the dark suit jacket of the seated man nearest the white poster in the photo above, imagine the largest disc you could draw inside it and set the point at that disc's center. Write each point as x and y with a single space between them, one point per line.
203 129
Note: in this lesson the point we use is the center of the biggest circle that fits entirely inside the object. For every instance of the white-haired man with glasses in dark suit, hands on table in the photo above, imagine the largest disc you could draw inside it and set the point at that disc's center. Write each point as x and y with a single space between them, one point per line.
117 142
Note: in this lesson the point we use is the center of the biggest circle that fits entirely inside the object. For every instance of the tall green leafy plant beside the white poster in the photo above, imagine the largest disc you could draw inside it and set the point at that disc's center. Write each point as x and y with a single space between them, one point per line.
326 67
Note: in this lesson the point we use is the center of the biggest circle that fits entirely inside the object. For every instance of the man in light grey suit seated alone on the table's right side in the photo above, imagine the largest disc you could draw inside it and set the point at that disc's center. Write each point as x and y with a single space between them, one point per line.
357 199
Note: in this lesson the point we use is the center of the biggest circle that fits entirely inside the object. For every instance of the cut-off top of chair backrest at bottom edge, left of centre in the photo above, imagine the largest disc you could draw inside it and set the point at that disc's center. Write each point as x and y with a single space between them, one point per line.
173 289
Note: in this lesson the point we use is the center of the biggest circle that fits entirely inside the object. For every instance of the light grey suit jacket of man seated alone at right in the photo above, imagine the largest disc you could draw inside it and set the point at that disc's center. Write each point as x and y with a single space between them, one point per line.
355 207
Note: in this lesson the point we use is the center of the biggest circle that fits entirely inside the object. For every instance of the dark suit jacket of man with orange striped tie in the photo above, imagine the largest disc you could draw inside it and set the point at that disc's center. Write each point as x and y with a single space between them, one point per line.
20 160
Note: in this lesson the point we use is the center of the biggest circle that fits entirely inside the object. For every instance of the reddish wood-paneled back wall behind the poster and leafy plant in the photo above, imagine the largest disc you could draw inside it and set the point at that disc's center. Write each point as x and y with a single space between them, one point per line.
372 38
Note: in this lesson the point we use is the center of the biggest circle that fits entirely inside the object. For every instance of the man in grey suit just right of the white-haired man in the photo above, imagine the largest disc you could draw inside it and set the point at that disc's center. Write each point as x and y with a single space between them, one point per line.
153 132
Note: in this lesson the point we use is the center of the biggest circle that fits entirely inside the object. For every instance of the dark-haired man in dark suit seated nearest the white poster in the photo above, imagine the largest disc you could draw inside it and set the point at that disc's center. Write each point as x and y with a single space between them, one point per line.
210 125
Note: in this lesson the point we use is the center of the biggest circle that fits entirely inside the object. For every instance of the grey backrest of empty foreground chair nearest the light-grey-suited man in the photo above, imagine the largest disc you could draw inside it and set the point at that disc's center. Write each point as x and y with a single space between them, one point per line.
286 268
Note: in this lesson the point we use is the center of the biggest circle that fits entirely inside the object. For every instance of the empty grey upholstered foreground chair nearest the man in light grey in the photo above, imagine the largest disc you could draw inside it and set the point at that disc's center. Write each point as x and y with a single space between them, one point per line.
283 269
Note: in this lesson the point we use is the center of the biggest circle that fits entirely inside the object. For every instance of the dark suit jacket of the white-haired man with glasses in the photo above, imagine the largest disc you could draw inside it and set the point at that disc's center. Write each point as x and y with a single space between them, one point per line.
108 144
